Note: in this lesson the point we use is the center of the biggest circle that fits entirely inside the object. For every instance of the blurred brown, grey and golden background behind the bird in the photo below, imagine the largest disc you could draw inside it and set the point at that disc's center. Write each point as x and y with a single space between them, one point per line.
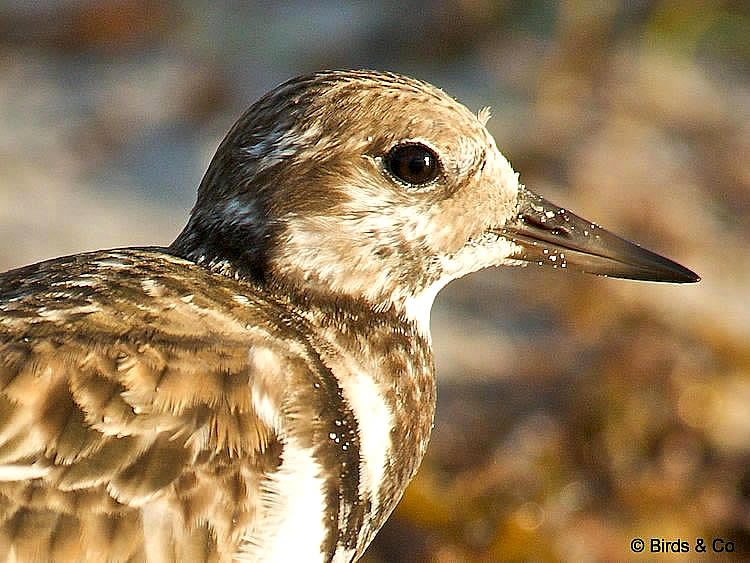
575 413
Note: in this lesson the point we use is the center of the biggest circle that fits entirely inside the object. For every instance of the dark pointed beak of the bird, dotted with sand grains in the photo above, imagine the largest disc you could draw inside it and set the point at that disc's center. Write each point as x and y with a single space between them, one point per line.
552 236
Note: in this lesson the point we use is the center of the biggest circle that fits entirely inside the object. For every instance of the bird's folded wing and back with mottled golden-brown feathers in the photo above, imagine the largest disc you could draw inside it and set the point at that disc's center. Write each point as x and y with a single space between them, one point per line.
128 409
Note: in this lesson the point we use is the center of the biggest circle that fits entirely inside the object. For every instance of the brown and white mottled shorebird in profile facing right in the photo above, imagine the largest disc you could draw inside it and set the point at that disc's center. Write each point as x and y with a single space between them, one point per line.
263 389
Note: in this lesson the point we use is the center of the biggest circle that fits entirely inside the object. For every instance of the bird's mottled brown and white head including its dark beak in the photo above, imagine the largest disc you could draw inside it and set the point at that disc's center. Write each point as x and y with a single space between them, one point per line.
384 188
